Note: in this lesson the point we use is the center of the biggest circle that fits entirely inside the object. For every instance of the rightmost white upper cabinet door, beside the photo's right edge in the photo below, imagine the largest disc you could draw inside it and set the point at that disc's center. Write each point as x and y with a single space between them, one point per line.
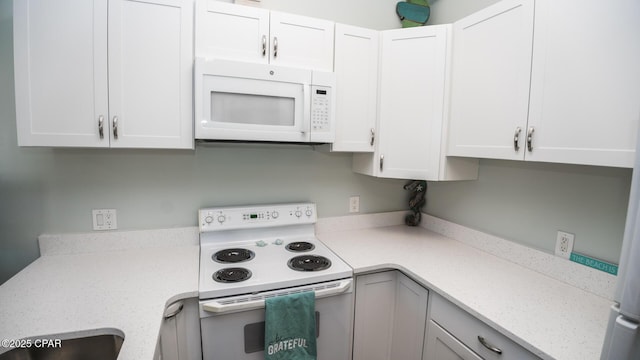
585 90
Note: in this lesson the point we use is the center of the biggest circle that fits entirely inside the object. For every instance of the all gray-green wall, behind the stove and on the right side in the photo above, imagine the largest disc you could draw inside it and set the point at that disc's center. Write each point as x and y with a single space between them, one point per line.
54 190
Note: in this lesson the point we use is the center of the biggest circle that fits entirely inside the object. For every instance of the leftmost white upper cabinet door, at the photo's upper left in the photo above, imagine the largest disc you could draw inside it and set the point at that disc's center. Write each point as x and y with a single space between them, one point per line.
60 60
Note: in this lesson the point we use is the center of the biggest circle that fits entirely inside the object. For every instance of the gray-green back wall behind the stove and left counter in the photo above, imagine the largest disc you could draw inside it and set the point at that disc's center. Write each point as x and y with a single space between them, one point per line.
54 190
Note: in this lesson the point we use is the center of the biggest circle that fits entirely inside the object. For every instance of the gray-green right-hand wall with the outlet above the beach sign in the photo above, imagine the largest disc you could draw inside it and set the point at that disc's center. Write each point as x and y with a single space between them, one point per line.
530 202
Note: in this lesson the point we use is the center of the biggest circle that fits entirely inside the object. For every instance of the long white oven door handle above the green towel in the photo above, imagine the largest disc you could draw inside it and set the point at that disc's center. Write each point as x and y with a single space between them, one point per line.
241 303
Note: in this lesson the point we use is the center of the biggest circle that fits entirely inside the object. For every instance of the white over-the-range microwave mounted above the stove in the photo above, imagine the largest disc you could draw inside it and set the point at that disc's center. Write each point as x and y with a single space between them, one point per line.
241 101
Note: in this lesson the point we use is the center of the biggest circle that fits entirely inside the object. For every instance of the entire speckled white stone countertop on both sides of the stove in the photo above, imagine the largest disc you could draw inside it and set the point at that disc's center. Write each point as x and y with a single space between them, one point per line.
121 282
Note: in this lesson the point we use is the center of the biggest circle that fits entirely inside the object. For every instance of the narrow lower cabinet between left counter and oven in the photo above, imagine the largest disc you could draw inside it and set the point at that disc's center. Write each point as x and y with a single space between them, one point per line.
179 337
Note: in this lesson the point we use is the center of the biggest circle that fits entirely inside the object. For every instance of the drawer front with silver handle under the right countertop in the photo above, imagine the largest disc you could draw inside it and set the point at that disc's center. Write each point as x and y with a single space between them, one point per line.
467 329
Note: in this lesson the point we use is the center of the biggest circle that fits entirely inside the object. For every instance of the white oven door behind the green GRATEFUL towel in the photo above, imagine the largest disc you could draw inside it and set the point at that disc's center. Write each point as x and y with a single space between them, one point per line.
233 328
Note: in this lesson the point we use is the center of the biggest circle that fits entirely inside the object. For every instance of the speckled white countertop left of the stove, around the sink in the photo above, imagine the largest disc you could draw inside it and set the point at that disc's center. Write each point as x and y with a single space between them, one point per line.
65 294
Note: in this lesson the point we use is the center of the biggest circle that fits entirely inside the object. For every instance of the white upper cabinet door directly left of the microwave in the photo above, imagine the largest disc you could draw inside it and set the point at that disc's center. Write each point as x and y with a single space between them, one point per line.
150 73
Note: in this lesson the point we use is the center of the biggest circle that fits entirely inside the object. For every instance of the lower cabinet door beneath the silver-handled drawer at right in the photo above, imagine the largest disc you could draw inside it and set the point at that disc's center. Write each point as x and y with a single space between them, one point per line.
441 345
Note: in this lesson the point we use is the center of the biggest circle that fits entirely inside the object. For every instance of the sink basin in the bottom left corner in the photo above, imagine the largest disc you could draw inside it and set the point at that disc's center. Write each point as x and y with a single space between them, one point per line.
96 347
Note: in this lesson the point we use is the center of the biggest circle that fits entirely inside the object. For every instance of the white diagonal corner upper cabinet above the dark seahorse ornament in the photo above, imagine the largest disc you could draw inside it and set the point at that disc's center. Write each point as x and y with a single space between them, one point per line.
413 99
